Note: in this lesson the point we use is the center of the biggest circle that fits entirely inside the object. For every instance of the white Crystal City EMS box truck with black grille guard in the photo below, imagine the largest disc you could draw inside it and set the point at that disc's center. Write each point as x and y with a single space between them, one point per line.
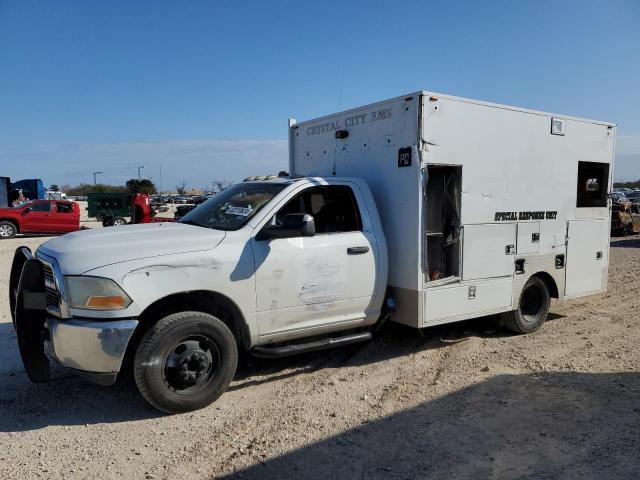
423 209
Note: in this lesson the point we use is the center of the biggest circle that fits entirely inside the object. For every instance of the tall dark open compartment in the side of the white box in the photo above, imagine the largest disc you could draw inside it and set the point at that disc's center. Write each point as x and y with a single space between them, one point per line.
444 186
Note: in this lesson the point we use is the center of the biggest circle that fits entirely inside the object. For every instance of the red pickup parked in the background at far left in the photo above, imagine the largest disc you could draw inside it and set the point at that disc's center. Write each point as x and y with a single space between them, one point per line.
40 216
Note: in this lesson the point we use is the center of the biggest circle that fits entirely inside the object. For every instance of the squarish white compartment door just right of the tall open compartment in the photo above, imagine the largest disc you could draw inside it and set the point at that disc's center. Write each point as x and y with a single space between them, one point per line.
488 250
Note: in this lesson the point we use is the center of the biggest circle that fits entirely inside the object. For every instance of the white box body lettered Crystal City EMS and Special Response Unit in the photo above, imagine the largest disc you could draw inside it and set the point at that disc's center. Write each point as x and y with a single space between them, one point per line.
474 197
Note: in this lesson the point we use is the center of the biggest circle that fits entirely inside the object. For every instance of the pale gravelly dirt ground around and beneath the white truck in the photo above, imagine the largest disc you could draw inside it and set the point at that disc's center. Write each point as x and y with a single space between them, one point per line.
456 401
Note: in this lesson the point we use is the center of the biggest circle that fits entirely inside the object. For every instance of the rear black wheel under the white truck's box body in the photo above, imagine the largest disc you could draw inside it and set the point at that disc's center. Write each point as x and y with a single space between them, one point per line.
533 308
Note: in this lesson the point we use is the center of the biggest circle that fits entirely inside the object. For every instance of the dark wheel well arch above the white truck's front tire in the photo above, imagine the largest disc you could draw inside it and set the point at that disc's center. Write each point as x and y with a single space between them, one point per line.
213 303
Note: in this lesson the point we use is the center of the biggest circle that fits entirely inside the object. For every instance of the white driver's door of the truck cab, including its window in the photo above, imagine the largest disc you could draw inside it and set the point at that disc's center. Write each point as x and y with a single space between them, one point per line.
323 280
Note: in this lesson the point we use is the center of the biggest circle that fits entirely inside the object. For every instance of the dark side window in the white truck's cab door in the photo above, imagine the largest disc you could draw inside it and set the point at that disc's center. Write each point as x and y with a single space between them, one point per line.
334 208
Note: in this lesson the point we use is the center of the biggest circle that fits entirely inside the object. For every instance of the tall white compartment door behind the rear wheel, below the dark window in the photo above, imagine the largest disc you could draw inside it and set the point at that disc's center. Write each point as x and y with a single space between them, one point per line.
586 263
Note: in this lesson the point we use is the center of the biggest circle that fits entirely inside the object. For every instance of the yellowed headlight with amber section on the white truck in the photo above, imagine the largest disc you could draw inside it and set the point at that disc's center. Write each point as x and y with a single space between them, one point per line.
95 293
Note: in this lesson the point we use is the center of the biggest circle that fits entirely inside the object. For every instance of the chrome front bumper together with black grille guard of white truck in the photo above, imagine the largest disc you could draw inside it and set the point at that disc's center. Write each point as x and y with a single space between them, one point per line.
92 348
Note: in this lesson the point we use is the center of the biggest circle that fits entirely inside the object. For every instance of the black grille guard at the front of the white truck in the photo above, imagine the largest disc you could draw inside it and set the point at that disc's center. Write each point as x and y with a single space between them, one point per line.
28 311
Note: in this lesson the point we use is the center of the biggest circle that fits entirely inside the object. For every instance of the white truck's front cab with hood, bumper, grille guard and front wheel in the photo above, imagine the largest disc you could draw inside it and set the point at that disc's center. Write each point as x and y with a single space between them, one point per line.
262 266
